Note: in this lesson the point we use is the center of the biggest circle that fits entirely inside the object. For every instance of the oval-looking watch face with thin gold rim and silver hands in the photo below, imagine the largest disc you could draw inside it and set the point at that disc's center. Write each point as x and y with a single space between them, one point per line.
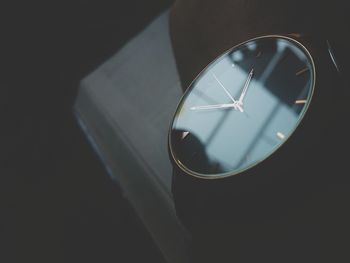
242 107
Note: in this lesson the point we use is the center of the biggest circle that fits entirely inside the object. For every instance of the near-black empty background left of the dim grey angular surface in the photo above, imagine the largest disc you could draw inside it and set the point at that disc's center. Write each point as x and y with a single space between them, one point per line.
57 204
